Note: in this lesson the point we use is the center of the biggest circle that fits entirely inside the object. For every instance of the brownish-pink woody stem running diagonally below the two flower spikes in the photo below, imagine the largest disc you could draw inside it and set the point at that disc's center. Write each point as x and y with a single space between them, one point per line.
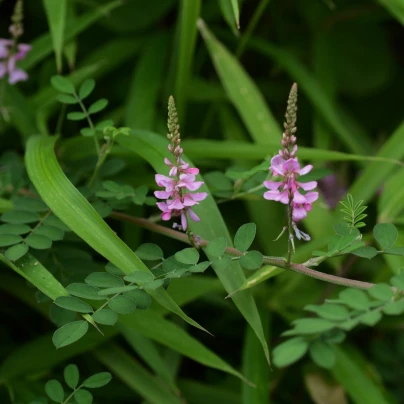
279 262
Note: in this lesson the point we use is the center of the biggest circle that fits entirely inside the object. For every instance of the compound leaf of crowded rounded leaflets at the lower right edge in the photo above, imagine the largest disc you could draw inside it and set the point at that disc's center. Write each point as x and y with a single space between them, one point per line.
337 316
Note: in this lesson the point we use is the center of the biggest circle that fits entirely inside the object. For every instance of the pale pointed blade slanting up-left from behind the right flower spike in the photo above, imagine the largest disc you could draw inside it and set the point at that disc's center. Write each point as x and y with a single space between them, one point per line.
242 91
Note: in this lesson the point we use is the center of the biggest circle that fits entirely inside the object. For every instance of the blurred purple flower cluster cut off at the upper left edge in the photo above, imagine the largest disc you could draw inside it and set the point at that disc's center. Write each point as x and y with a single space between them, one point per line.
8 59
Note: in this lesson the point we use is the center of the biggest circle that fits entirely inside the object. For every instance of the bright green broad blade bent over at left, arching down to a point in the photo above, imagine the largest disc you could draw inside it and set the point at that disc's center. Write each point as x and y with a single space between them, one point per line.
60 195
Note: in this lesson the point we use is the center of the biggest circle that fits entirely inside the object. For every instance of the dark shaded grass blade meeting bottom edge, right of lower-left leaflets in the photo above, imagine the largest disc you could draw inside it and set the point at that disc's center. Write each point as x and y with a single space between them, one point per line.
134 375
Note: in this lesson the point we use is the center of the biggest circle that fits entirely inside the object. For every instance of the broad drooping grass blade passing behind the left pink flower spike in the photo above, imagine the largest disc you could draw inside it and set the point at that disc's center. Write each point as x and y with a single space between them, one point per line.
153 148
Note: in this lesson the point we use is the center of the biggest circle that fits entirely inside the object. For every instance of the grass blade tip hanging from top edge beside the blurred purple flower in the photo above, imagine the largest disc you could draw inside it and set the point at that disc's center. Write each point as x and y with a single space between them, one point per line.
56 14
